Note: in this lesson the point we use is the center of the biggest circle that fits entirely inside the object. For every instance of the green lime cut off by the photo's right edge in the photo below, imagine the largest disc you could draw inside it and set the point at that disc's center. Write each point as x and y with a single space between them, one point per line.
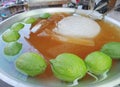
112 49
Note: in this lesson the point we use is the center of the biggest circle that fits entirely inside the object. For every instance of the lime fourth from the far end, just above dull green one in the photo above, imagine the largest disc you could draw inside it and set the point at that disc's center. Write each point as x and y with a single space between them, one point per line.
10 35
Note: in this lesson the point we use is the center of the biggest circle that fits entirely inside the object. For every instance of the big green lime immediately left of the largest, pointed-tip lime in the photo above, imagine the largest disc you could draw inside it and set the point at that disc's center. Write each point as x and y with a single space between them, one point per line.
31 64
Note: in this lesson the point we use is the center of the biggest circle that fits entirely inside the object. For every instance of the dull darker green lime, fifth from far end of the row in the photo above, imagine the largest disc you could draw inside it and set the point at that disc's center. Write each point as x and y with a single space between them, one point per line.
12 48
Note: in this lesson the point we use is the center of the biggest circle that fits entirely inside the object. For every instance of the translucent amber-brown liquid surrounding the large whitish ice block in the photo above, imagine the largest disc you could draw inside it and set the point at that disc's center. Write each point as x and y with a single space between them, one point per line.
50 48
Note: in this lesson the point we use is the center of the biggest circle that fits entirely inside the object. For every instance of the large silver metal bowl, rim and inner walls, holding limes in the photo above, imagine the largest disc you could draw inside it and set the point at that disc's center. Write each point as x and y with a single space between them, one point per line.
12 77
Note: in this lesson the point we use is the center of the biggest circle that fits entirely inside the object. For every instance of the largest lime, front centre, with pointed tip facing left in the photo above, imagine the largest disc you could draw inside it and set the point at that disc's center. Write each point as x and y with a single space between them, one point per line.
68 67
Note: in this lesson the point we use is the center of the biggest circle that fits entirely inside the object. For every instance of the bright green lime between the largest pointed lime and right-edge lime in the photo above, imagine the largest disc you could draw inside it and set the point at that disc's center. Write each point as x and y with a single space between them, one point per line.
98 63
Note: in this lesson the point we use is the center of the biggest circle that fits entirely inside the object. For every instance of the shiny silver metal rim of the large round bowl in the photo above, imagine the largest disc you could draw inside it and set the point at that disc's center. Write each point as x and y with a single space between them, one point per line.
15 82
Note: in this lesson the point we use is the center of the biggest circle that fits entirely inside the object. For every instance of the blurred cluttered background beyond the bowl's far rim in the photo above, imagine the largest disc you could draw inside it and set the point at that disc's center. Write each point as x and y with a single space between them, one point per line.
11 7
